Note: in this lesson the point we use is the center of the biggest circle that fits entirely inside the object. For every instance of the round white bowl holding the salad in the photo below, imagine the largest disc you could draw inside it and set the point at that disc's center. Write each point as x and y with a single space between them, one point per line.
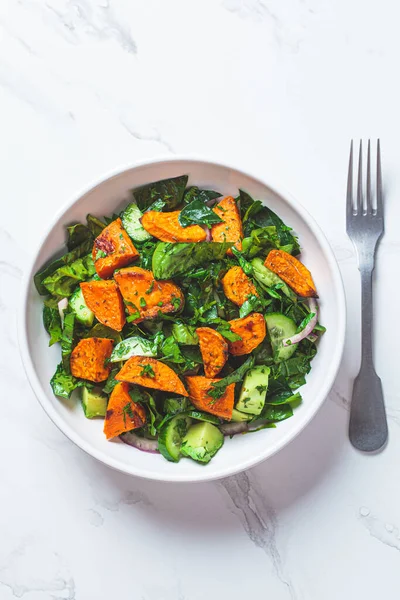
241 452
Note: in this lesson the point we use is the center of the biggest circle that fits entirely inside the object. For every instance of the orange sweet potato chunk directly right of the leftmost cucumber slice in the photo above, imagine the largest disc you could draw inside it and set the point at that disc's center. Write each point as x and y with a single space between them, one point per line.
105 301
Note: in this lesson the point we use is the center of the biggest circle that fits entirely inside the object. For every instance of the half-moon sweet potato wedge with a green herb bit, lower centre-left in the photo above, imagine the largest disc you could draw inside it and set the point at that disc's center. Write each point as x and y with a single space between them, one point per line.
151 373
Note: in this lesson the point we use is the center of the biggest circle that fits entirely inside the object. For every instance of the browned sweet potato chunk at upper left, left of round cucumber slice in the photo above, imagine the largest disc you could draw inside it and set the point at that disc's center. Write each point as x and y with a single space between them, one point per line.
112 249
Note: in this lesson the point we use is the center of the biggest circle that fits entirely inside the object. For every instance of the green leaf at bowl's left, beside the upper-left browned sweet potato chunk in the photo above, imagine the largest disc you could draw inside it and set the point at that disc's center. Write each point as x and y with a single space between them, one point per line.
64 280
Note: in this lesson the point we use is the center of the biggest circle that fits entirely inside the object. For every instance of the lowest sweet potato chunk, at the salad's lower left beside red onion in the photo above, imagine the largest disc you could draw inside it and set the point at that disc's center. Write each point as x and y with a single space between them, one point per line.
122 413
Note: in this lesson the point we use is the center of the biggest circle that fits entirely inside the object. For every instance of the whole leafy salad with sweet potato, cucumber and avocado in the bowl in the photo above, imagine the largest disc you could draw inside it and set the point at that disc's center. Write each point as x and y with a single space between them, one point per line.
184 319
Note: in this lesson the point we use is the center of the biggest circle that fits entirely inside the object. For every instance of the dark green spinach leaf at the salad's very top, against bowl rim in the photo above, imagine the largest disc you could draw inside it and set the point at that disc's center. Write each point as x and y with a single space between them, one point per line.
169 191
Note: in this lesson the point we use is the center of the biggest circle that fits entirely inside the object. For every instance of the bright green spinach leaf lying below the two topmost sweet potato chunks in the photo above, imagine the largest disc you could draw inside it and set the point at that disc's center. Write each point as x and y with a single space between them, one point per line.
171 260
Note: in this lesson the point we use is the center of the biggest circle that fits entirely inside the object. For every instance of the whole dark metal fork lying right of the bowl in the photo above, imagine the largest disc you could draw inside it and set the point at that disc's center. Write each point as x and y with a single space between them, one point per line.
368 429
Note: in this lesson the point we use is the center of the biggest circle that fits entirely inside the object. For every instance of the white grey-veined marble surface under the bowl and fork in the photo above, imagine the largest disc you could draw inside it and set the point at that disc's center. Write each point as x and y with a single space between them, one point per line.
277 87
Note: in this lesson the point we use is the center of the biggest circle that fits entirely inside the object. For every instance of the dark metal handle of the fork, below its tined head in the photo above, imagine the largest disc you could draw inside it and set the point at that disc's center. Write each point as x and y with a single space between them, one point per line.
368 425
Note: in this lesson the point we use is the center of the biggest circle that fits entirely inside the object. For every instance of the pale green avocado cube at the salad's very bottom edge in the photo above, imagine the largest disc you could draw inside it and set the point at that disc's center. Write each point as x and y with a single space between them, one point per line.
202 442
